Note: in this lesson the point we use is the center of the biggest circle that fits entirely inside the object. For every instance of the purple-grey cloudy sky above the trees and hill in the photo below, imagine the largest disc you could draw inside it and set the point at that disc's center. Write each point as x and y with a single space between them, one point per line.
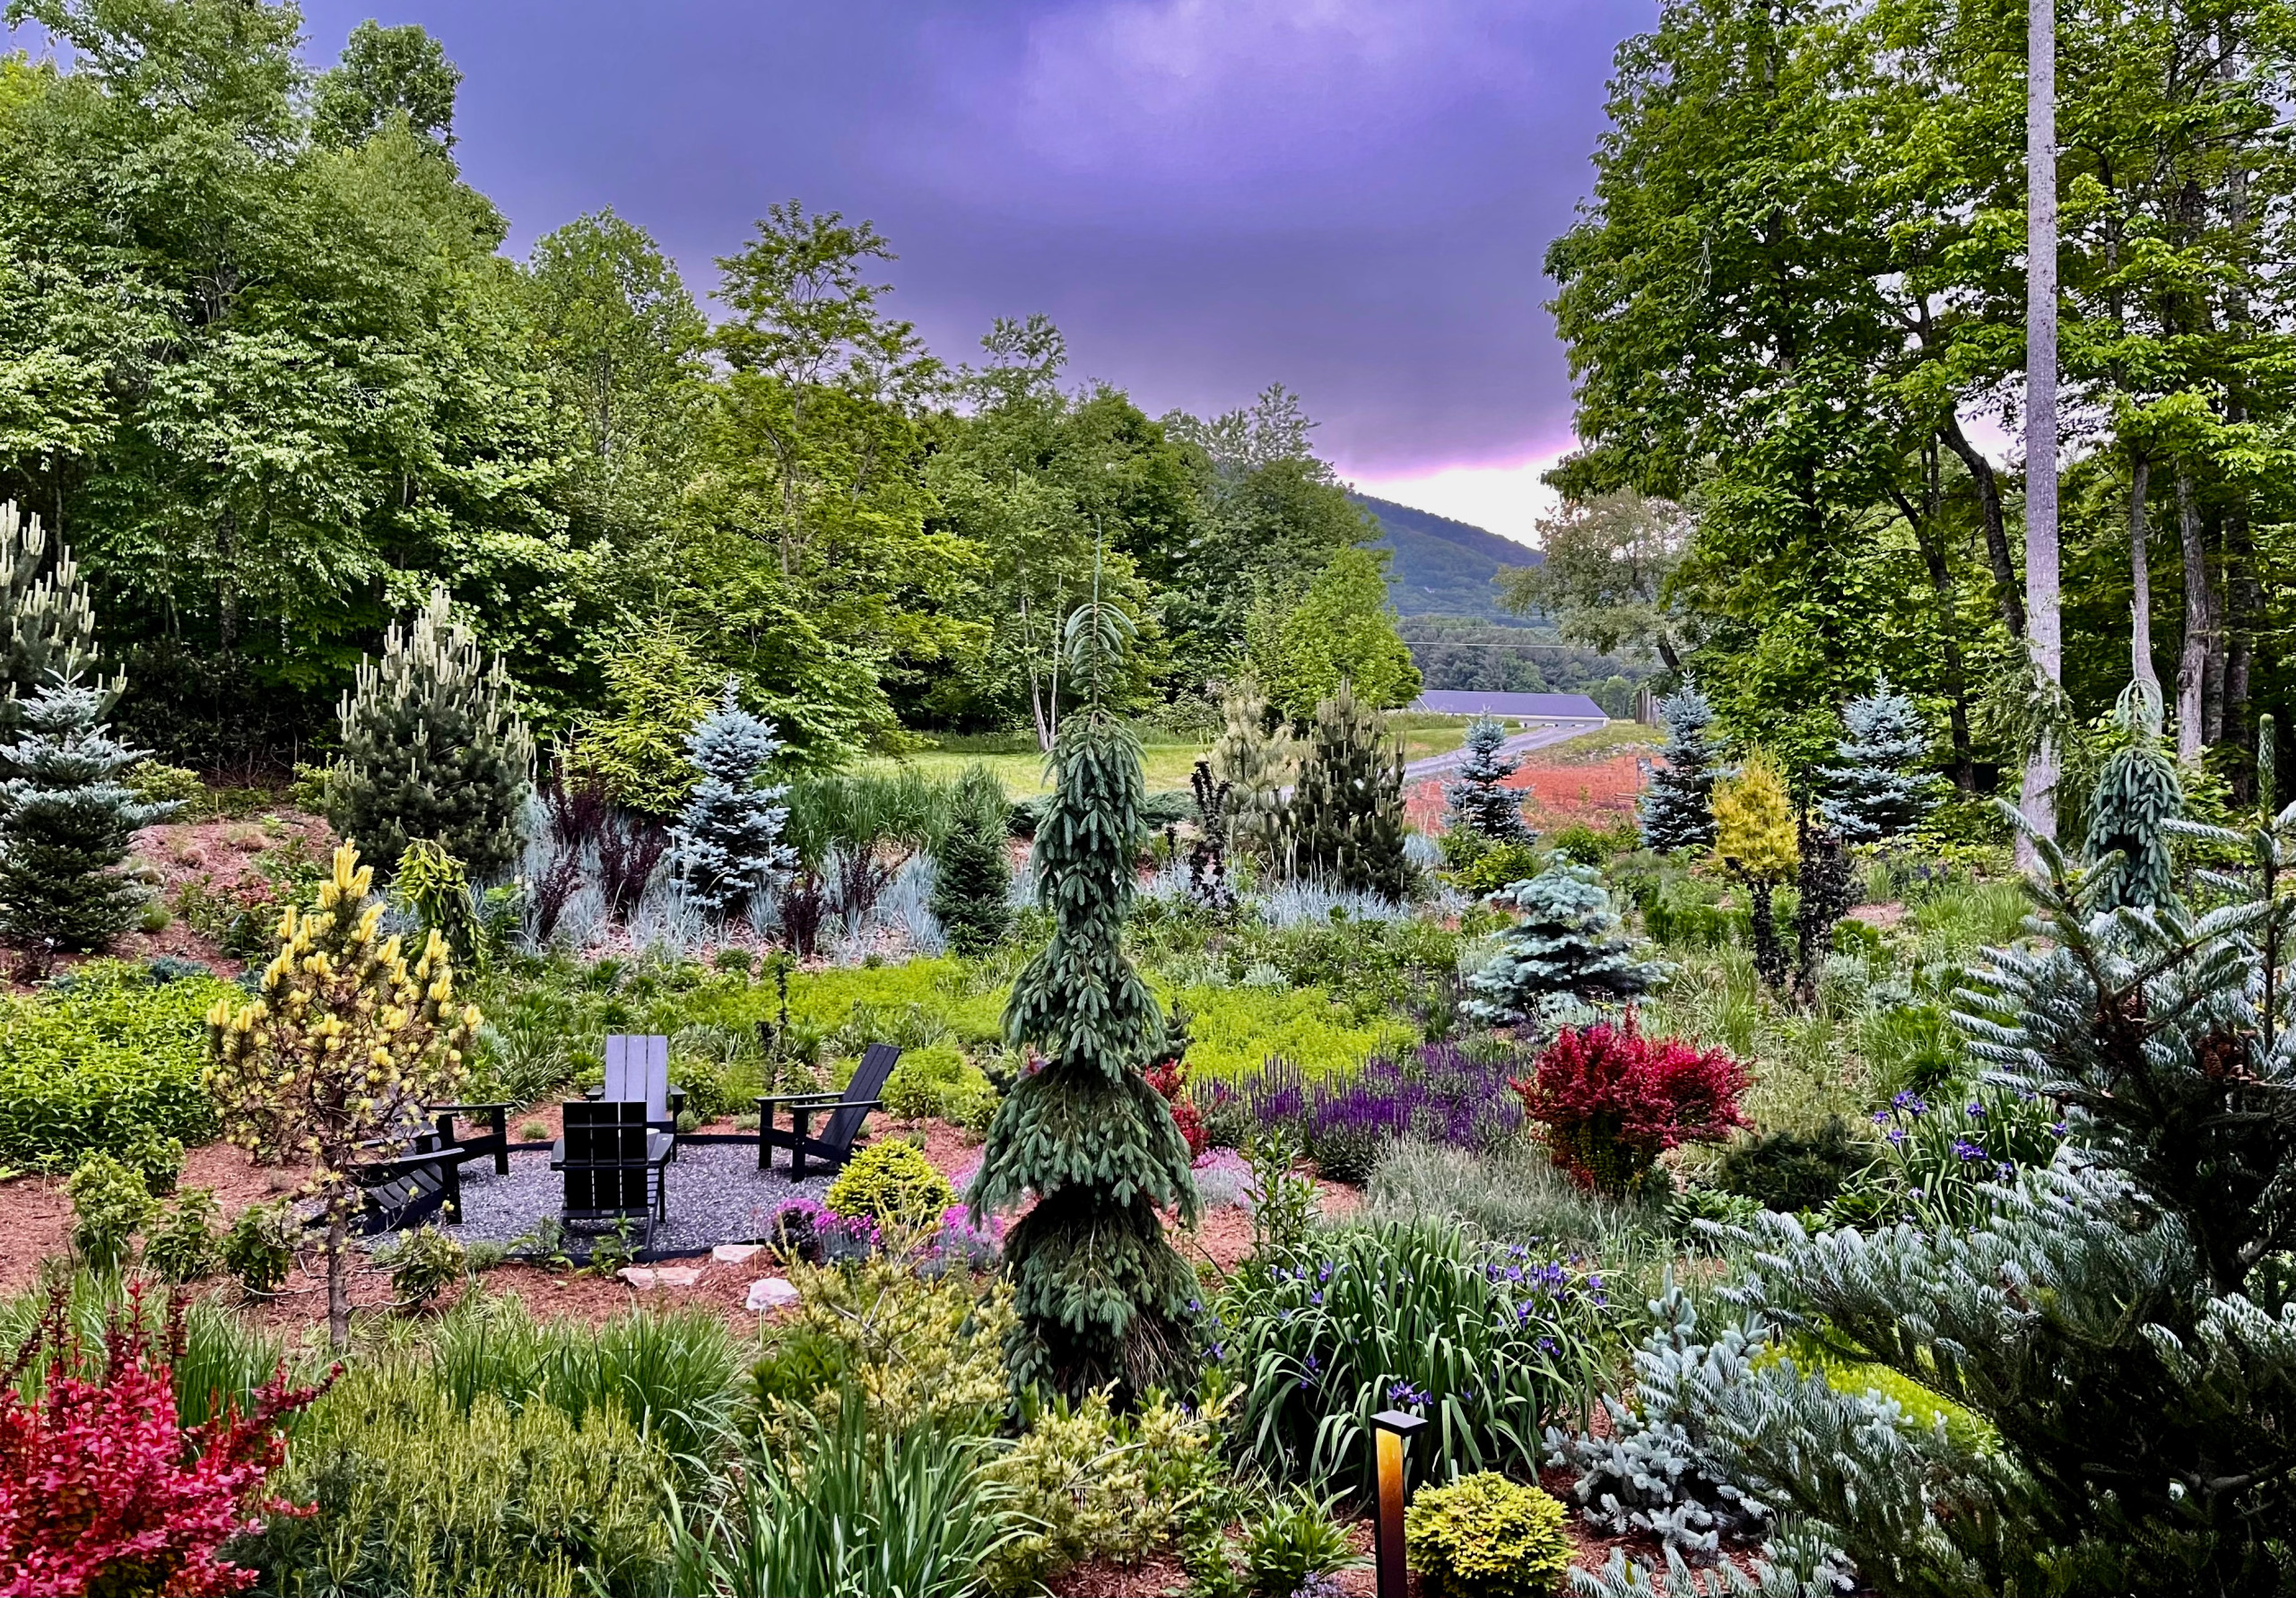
1209 196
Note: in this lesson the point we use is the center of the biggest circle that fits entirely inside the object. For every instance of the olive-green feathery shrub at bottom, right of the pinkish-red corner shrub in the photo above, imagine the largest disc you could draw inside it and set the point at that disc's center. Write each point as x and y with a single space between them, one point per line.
424 1496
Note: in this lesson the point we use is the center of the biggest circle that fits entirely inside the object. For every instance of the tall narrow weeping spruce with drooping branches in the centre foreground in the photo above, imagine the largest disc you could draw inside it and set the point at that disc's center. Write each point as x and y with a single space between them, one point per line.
1101 1291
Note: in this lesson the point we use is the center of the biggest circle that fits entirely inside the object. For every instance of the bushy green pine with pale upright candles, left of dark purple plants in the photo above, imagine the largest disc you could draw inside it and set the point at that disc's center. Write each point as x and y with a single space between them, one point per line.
433 747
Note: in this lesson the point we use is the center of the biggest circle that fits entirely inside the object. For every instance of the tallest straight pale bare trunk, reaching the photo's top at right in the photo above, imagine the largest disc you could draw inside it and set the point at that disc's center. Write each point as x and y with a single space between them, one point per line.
2040 796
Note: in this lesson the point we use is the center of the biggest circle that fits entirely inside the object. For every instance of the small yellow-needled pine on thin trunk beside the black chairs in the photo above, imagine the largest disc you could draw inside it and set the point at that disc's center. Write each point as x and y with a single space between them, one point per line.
343 1048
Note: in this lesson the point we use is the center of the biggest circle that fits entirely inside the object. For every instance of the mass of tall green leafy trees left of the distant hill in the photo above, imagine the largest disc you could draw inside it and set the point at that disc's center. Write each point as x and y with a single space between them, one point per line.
267 373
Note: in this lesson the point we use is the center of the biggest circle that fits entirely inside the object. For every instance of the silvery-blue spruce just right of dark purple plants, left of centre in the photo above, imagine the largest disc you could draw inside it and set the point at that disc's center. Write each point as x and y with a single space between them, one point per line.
729 837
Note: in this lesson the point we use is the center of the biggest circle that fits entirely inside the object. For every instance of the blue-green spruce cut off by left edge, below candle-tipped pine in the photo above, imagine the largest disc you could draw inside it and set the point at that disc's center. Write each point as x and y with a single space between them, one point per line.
68 821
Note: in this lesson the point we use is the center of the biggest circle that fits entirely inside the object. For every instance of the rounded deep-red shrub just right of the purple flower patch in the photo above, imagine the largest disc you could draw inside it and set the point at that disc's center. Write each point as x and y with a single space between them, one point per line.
1613 1101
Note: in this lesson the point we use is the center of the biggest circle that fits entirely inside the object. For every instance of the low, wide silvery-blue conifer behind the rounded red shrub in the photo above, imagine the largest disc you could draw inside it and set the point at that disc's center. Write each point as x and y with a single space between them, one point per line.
1567 945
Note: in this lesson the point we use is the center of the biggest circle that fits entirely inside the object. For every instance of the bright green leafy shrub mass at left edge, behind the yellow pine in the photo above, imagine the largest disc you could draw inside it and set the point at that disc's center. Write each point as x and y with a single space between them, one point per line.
102 1062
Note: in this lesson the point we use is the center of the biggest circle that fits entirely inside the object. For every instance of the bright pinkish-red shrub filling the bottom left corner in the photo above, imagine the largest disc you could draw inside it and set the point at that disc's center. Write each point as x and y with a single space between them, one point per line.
102 1491
